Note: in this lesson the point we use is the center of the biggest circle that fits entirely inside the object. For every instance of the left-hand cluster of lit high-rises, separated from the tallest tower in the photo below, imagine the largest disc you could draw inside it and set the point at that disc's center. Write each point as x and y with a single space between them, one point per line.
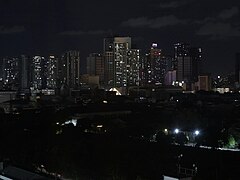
40 74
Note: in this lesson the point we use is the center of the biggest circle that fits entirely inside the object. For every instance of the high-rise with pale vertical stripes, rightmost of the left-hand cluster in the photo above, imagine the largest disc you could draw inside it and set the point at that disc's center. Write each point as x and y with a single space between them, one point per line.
69 69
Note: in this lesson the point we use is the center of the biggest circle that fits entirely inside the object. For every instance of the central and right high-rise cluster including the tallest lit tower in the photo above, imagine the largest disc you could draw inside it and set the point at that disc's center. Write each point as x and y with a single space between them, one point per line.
125 66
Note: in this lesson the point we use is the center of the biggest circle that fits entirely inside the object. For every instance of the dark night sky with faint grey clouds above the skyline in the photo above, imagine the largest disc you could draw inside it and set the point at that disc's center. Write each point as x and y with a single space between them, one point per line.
53 26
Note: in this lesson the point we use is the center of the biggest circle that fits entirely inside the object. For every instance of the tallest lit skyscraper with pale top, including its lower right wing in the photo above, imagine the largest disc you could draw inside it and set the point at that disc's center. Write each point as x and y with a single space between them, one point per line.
122 63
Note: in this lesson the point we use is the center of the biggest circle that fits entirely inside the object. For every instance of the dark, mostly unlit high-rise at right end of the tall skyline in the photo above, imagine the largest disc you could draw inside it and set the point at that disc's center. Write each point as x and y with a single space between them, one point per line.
188 63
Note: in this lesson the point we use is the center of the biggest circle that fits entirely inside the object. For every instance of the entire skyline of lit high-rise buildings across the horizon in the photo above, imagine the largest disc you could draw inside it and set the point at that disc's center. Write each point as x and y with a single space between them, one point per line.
119 66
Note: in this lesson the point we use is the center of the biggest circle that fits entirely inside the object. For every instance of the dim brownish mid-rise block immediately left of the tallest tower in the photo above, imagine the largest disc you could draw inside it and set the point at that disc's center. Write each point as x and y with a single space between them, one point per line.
95 66
